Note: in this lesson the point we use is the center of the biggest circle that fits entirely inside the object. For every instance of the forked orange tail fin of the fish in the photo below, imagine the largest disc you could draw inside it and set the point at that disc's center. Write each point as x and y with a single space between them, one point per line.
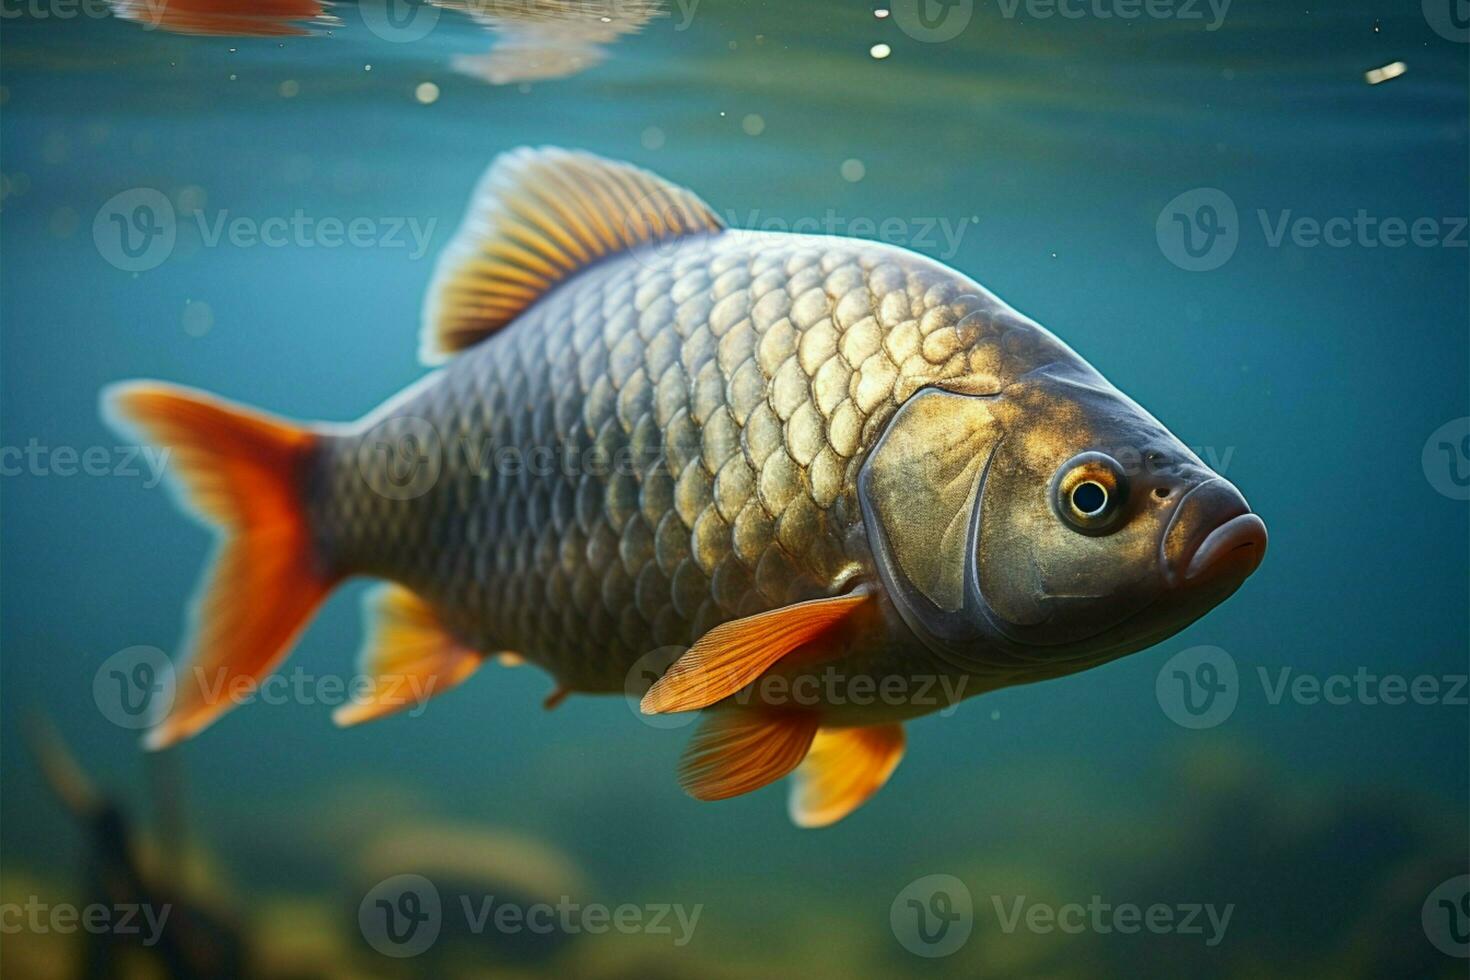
242 472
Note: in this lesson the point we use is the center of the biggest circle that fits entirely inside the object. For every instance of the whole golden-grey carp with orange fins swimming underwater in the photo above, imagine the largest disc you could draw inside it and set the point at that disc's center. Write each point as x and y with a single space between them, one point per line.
799 484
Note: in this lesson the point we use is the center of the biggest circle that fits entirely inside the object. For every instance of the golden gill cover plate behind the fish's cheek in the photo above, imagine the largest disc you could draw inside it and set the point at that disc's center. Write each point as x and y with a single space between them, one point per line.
919 491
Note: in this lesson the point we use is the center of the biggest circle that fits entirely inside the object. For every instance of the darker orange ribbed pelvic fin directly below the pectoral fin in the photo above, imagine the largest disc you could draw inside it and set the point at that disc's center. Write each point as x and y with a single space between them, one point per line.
739 752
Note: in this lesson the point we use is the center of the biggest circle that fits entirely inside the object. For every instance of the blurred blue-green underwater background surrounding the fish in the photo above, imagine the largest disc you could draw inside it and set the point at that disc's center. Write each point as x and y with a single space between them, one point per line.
1143 186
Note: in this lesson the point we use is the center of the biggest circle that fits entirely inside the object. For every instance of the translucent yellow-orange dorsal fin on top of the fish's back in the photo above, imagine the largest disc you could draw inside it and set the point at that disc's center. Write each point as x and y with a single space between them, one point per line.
537 218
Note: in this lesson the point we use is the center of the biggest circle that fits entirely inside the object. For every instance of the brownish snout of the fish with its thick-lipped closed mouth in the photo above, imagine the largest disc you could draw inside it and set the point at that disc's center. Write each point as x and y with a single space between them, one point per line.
1213 536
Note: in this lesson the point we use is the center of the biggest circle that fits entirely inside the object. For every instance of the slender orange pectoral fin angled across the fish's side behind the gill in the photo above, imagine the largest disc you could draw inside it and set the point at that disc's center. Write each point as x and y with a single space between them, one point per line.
737 653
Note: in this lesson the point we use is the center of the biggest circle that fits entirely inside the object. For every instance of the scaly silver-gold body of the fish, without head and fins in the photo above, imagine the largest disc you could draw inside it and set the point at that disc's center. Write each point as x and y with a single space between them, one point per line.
745 374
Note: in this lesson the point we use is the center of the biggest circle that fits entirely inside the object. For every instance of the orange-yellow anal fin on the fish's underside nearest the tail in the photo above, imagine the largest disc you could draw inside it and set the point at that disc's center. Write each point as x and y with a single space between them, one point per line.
408 656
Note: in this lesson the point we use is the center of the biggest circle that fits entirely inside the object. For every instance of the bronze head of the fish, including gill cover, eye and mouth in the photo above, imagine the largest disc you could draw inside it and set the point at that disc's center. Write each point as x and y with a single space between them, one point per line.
1049 527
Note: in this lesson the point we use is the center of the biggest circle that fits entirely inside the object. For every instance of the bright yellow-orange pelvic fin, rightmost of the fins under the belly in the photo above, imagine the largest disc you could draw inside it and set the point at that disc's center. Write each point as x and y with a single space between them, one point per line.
843 769
